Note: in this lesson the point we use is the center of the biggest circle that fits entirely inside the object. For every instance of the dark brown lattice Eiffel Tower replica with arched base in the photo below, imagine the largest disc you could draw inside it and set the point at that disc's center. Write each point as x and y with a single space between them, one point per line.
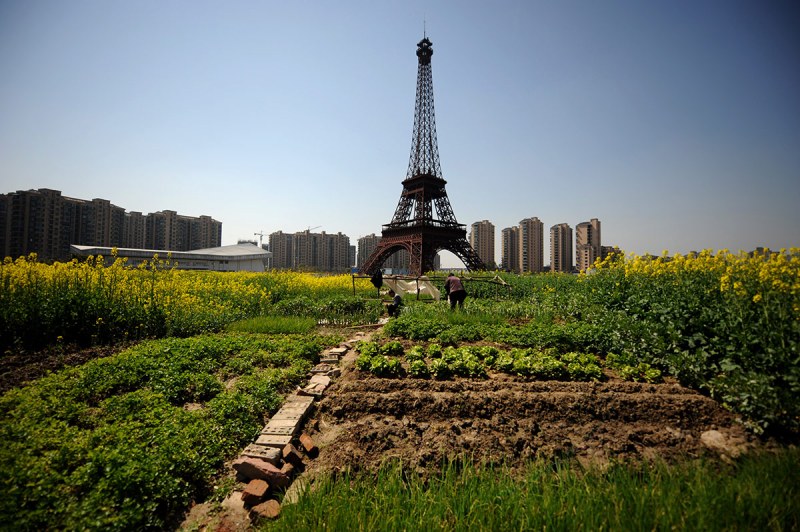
414 227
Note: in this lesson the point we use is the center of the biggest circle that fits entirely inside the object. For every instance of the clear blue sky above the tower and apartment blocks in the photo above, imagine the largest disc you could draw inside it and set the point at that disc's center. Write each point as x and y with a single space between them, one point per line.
676 123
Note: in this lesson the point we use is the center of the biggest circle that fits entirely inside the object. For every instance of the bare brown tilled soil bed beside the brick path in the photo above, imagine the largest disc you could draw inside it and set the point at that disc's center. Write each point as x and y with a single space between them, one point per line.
363 421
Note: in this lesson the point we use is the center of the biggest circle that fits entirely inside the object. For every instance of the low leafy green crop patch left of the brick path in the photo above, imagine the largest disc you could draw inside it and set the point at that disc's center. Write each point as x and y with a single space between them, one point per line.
126 442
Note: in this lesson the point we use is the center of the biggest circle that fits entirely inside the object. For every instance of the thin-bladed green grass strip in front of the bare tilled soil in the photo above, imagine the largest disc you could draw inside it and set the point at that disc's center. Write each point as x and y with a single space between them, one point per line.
759 493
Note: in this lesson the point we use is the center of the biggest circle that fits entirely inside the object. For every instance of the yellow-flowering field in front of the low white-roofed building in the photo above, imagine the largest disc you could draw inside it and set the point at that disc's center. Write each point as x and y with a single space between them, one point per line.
96 301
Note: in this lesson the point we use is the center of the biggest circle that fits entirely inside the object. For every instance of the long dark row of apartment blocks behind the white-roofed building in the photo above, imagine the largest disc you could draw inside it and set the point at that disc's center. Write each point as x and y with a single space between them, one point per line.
45 222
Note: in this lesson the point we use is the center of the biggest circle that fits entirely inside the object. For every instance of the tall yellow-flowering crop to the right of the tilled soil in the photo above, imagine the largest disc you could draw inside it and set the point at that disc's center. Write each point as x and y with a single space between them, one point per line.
724 323
